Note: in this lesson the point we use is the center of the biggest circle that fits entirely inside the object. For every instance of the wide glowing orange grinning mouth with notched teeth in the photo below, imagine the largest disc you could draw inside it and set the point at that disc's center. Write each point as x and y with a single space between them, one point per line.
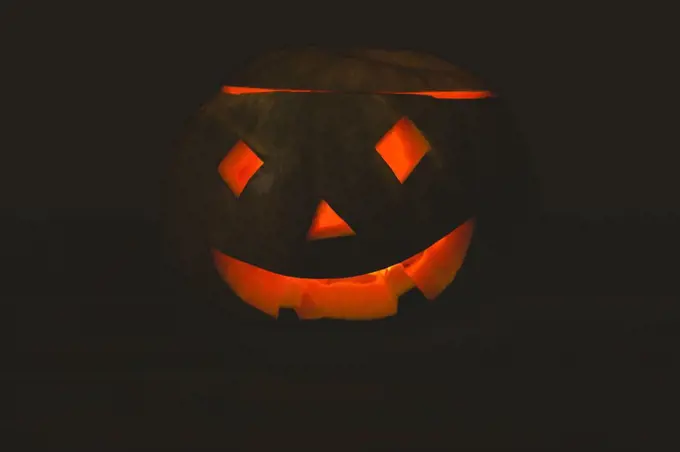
365 297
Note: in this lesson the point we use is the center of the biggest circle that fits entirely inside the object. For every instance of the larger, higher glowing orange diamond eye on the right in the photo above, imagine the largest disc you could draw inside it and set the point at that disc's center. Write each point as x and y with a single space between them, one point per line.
402 148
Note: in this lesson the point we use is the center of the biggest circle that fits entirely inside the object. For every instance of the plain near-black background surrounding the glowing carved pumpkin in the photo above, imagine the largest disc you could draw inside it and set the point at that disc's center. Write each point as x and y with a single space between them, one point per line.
575 344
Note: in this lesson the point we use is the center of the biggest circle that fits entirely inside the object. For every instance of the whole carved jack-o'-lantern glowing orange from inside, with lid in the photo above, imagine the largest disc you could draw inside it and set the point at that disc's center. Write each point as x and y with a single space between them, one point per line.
330 184
